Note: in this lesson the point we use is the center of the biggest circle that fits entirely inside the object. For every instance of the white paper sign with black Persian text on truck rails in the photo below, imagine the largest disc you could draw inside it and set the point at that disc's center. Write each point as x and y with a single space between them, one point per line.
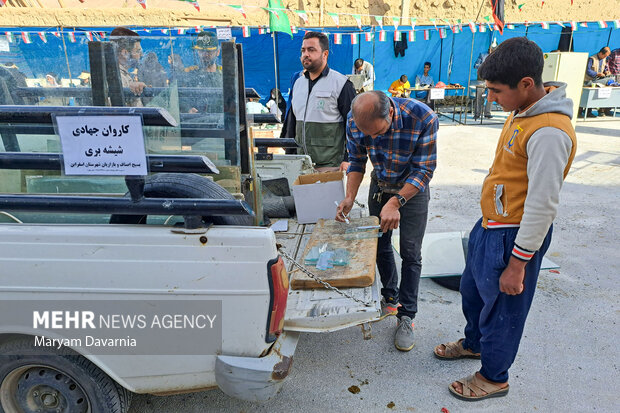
102 145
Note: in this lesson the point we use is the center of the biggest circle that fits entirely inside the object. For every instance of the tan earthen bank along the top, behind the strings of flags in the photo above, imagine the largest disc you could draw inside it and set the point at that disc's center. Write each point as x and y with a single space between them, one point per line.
182 13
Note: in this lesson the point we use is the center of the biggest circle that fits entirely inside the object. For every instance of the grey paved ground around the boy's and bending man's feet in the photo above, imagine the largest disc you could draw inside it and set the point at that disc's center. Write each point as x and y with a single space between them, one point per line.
567 359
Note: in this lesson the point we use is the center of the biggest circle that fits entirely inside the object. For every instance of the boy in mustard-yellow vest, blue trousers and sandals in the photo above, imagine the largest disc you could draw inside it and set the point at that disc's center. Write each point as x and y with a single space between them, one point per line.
519 201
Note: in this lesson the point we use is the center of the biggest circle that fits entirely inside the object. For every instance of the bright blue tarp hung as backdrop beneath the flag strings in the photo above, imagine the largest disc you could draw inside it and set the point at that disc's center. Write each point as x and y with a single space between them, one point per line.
451 58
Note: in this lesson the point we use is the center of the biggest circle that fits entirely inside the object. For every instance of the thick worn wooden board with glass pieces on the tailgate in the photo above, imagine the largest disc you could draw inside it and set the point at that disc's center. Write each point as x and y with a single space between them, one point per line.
361 269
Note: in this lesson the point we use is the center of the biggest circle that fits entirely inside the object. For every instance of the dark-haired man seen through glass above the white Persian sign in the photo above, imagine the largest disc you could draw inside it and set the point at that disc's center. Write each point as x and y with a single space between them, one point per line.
129 53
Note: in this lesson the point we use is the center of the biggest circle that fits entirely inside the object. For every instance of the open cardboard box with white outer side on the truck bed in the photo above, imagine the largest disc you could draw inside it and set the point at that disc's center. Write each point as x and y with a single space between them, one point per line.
315 195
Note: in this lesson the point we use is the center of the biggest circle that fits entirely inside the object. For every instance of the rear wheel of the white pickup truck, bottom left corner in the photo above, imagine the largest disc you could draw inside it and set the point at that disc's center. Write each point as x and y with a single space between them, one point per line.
55 380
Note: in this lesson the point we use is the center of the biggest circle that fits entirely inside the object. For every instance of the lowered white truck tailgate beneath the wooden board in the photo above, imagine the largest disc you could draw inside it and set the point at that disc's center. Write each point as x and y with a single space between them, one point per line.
323 310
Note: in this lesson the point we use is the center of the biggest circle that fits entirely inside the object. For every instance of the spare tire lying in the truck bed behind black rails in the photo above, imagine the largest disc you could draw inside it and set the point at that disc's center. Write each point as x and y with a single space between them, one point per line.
171 185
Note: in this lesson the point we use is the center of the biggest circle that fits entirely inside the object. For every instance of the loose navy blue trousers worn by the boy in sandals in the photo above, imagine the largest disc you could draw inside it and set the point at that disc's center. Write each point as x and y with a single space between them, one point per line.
495 320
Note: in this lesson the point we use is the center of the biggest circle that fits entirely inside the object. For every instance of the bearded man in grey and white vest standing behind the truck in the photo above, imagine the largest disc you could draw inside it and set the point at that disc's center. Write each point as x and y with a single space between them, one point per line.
320 101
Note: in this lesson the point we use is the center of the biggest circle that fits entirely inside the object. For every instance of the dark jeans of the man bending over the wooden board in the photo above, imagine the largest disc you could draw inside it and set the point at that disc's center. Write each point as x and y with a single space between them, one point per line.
413 216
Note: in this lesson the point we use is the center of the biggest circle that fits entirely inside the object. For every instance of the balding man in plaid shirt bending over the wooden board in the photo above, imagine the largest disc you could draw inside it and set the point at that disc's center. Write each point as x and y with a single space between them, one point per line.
399 135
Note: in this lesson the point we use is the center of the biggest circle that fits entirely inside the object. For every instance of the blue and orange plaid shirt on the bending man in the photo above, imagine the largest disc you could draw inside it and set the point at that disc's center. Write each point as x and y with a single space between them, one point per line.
406 153
